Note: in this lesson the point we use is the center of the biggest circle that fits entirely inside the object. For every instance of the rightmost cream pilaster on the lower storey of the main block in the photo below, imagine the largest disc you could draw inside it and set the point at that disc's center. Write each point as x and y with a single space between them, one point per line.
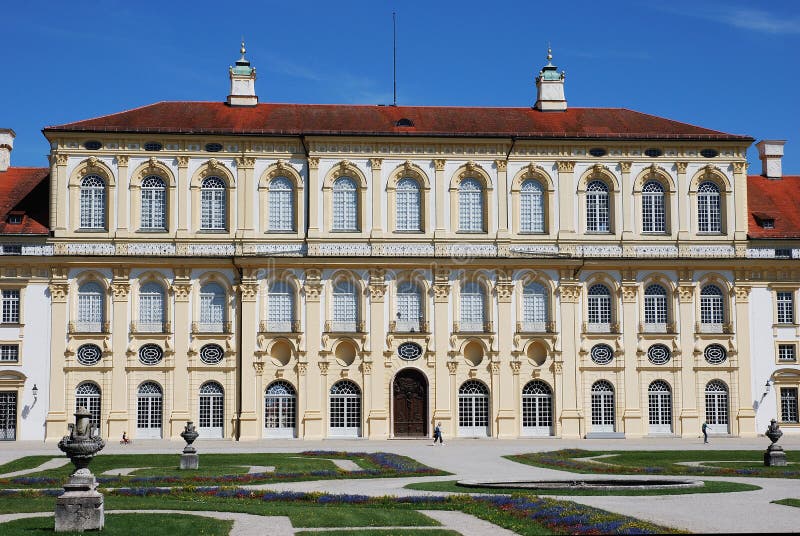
746 416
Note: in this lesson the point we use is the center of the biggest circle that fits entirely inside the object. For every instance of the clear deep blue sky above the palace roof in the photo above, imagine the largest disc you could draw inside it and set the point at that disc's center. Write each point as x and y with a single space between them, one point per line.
726 65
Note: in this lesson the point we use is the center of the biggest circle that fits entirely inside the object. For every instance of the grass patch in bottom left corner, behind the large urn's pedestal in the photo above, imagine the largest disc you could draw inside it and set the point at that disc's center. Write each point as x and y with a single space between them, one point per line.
123 524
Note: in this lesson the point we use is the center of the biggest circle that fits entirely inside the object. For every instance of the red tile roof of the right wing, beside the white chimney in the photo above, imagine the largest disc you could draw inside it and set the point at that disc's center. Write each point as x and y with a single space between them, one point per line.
774 199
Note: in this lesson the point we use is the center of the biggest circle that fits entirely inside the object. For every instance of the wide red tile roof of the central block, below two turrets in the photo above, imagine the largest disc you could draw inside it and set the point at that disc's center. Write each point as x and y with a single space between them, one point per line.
311 119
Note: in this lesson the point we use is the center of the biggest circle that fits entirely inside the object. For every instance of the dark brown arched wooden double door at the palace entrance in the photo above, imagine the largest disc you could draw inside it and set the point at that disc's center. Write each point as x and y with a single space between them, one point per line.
410 404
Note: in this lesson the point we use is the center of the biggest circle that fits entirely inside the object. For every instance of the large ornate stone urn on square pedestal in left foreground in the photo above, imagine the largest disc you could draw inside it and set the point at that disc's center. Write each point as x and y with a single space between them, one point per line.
80 507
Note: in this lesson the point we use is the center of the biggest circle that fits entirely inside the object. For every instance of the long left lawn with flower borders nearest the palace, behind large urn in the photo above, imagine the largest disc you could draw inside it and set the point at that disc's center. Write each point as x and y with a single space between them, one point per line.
219 469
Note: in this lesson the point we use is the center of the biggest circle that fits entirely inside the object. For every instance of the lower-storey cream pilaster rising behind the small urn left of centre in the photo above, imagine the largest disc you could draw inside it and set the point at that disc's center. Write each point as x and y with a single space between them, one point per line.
181 290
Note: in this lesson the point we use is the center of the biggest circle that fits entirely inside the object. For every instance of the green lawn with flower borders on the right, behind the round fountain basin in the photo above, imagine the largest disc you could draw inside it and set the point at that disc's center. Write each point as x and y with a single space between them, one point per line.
663 462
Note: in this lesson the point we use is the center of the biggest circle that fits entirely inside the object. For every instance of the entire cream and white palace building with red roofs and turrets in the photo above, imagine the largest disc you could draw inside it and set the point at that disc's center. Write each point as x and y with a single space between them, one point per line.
311 271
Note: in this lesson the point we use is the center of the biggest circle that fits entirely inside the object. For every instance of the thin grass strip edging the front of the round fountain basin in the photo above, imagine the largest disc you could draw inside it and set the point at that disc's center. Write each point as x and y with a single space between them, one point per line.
711 486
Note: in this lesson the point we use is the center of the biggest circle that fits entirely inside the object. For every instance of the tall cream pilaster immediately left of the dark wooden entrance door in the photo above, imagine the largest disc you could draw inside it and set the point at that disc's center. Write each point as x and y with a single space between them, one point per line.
378 417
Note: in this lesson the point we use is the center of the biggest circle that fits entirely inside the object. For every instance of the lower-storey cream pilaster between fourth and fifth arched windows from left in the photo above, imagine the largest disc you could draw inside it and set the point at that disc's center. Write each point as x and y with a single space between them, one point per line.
312 418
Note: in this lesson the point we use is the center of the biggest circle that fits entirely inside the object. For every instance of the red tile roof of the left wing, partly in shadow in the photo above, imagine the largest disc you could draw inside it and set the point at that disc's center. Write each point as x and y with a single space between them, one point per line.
25 190
